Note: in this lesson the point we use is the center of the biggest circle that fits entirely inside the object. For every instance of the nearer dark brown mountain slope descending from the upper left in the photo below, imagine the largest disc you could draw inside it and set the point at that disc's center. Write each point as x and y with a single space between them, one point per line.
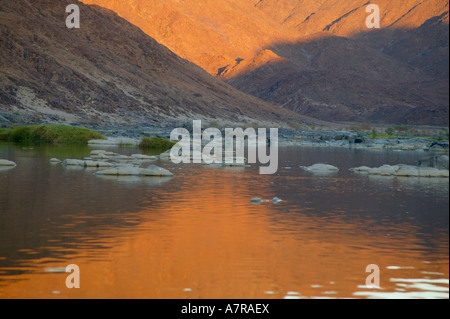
107 72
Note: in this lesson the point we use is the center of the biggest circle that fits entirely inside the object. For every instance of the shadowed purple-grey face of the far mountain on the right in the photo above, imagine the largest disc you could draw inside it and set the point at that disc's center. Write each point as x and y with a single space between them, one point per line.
387 75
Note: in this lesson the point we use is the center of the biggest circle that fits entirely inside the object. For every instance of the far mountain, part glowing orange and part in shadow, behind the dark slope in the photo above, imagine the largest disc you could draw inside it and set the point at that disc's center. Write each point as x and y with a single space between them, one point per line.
316 58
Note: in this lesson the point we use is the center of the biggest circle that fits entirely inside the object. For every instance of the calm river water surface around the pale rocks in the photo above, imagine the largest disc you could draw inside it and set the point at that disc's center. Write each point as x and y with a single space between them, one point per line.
197 235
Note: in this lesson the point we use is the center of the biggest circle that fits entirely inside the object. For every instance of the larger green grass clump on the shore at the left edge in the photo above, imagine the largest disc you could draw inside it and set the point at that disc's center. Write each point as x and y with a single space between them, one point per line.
49 134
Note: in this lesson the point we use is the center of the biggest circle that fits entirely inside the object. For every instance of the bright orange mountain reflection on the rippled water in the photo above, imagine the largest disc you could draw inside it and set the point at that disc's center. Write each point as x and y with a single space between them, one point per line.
209 241
